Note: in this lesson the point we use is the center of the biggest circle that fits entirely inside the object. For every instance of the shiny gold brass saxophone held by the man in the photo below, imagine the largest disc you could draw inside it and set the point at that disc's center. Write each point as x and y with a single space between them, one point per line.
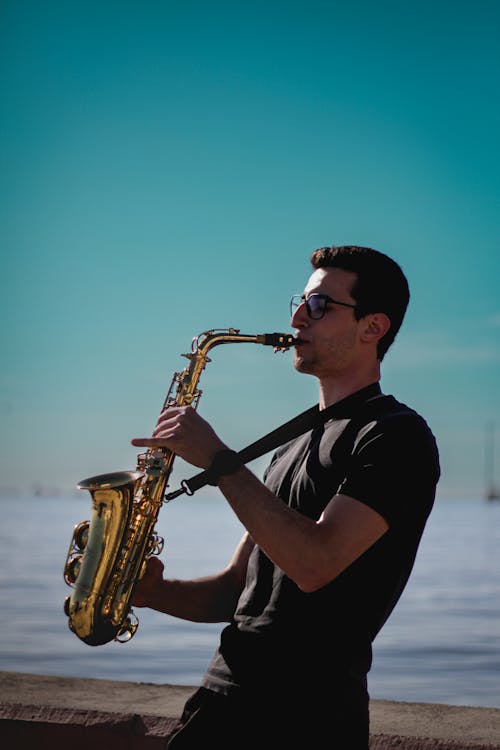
107 554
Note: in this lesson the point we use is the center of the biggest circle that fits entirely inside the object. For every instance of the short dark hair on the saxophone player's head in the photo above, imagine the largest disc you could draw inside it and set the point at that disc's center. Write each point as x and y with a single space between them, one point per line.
381 285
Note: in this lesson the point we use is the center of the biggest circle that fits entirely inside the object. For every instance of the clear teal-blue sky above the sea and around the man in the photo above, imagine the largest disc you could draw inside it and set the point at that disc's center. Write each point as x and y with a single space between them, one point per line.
168 167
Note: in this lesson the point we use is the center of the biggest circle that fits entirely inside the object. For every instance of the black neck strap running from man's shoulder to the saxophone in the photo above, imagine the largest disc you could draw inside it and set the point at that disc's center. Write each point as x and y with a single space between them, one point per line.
348 407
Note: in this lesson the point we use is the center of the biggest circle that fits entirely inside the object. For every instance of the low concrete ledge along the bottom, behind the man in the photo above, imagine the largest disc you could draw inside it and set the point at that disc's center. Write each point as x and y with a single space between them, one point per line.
50 712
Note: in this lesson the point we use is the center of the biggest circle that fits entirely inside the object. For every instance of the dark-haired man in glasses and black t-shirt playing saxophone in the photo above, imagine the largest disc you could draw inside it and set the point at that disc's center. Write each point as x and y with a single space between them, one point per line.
332 533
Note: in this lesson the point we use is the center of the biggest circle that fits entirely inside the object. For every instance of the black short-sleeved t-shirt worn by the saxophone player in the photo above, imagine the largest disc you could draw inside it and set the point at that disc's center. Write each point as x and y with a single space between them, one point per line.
381 453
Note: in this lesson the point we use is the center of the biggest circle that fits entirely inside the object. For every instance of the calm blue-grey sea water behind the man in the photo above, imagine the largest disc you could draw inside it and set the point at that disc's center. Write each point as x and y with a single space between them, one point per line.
441 644
